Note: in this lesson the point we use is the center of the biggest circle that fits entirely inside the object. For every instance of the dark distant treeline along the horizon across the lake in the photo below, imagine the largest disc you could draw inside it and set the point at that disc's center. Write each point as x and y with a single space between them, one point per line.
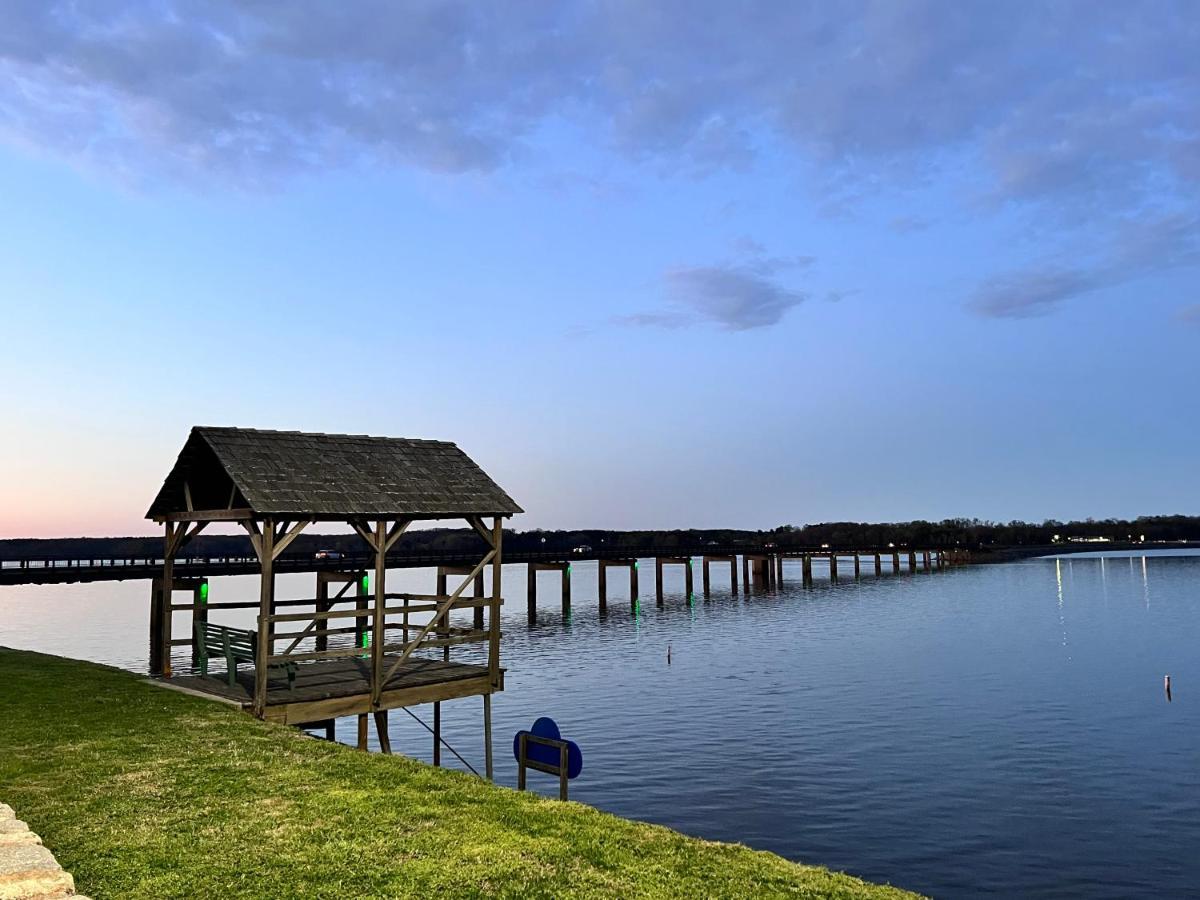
973 533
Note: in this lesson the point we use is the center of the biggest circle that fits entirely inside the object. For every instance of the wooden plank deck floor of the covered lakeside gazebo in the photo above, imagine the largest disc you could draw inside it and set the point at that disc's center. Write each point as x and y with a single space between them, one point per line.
328 689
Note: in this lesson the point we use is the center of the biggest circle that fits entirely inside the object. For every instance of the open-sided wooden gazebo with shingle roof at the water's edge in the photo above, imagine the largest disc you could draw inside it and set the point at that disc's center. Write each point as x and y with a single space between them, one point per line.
277 484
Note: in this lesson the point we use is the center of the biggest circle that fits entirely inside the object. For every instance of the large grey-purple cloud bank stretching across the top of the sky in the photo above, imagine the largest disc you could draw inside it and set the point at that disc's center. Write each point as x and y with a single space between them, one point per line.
1081 104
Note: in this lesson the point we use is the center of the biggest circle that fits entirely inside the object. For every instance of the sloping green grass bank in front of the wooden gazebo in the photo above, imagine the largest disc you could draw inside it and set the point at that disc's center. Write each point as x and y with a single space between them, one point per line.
145 793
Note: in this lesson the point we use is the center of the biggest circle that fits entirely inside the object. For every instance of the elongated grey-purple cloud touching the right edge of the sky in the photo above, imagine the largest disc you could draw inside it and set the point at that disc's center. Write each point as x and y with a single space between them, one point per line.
1143 248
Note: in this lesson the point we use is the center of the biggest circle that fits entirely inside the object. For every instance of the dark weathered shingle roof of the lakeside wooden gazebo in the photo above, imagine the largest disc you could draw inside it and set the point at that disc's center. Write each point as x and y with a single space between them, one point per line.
297 475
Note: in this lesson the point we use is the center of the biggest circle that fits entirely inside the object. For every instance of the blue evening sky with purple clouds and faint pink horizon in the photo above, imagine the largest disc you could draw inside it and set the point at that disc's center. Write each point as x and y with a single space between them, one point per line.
652 265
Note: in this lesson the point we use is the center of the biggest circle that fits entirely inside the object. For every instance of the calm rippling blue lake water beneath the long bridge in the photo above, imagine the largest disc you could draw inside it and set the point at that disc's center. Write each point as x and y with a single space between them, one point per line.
987 730
